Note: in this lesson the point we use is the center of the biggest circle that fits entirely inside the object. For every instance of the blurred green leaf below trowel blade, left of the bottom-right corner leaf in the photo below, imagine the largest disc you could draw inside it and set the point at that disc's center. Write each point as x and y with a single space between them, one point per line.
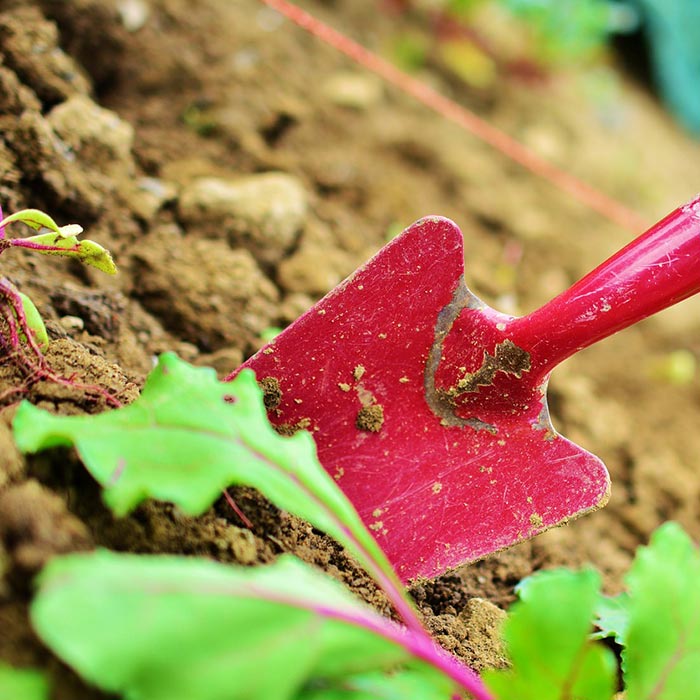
547 637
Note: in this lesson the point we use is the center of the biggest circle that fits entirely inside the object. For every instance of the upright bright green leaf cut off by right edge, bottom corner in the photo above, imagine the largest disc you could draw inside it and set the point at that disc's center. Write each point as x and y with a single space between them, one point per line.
662 656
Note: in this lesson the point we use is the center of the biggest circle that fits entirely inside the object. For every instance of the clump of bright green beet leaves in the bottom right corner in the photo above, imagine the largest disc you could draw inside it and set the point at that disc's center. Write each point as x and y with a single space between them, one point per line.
654 622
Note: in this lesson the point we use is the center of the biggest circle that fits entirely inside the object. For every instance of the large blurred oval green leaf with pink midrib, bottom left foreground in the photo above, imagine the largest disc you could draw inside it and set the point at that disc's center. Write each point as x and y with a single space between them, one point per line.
177 628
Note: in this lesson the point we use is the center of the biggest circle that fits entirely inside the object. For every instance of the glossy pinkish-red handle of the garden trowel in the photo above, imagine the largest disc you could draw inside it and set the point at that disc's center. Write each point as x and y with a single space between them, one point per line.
656 270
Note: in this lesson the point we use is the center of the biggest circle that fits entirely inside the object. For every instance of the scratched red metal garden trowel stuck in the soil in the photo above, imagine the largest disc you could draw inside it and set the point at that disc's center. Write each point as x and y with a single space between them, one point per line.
429 408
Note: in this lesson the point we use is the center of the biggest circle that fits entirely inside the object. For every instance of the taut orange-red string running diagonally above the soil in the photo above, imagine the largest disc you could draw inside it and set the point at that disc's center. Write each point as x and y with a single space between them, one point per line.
594 199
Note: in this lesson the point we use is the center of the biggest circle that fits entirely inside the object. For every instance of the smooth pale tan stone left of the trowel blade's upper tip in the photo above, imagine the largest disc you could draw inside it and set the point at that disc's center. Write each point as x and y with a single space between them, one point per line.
263 213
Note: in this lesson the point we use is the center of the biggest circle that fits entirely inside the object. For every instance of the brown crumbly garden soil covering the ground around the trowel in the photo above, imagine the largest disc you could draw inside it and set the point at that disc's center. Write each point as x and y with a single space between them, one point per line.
239 169
